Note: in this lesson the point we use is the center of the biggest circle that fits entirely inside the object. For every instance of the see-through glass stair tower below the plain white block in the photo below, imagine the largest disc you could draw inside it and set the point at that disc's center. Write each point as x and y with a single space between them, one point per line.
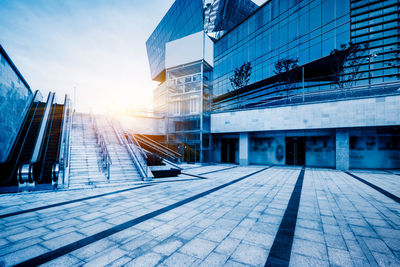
187 94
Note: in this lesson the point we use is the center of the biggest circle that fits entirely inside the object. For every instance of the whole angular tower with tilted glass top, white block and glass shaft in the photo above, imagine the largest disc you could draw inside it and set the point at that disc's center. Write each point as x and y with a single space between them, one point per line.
180 52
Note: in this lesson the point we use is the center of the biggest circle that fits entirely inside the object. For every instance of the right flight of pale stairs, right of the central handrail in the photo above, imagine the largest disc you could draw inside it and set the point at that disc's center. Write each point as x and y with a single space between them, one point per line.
122 168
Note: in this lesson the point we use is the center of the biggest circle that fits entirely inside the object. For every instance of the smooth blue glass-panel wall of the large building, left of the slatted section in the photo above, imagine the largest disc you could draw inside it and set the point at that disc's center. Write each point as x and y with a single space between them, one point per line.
305 30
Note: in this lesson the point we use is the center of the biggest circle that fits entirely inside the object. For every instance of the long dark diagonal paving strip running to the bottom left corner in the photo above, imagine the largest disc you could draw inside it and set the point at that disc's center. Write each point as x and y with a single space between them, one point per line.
51 255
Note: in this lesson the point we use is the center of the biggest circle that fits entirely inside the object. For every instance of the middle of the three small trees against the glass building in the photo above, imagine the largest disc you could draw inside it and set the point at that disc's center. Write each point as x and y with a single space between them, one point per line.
286 77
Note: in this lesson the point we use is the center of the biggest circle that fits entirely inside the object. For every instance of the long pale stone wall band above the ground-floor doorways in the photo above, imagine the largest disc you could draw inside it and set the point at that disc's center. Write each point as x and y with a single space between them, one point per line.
377 111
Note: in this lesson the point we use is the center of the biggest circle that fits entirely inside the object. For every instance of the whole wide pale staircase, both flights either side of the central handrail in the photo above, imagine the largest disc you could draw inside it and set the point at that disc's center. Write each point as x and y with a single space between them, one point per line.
86 167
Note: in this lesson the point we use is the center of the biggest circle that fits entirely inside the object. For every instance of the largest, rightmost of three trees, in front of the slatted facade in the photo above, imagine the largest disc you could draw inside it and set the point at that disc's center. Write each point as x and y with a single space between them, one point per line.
347 63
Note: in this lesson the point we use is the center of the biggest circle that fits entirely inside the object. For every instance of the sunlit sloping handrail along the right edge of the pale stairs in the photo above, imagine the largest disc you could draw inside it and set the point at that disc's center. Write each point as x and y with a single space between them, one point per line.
136 153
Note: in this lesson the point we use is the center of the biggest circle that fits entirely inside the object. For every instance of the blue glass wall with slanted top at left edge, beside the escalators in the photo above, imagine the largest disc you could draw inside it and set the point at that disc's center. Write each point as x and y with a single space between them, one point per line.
15 97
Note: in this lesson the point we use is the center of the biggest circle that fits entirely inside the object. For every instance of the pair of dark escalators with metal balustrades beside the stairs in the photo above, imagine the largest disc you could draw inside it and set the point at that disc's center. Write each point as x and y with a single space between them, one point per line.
33 163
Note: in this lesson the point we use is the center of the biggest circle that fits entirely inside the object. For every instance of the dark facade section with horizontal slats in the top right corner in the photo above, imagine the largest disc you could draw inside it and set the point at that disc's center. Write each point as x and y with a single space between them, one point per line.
376 24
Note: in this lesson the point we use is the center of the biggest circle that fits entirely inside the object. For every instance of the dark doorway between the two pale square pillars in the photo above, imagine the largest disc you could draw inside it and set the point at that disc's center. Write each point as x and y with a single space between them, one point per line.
295 151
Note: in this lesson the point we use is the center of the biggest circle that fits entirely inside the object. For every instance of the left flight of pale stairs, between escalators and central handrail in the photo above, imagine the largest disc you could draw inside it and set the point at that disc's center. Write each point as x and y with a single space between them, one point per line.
85 167
